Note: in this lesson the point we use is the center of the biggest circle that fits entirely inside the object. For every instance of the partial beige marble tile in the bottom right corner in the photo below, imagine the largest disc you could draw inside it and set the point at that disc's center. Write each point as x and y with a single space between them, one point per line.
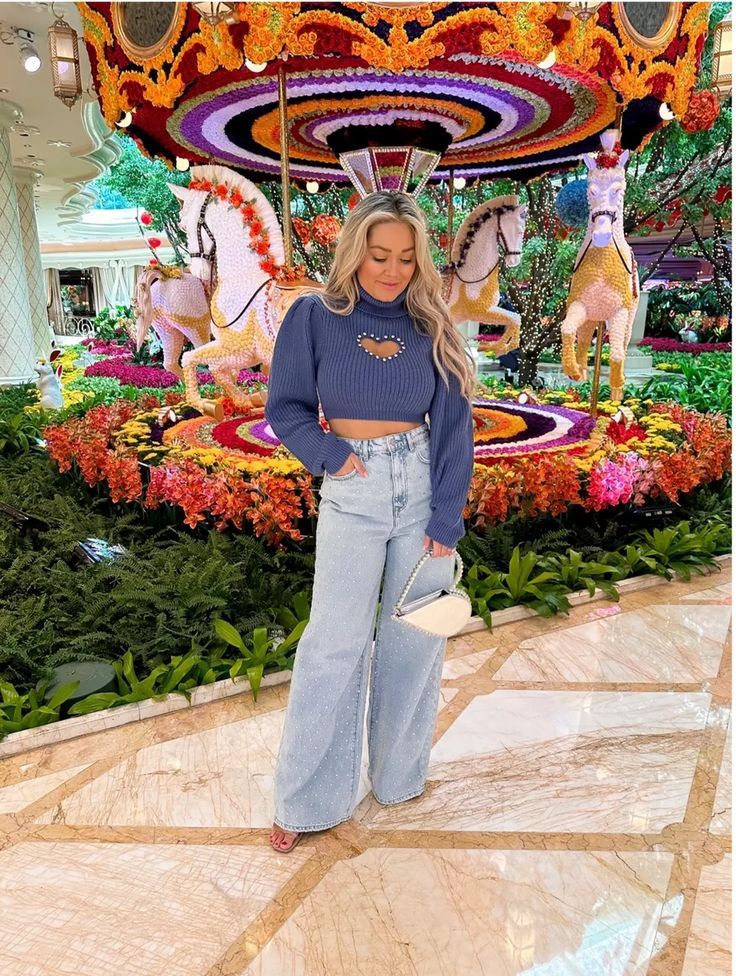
709 944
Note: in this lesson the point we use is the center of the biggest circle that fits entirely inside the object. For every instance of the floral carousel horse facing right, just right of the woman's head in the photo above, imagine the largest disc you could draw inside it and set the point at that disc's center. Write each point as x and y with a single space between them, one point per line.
474 291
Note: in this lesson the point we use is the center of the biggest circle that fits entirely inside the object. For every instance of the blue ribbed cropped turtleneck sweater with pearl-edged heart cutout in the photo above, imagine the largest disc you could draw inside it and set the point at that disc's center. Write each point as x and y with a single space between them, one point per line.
318 357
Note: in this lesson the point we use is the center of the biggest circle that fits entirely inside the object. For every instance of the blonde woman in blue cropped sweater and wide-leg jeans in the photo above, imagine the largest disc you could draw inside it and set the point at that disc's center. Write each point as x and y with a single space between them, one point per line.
379 350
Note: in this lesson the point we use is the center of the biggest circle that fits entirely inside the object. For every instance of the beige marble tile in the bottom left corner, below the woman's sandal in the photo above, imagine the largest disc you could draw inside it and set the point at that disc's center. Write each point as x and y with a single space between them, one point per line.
79 909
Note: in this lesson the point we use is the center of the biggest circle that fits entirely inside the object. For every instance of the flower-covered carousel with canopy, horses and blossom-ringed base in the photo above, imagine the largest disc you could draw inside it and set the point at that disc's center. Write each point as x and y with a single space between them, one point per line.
390 95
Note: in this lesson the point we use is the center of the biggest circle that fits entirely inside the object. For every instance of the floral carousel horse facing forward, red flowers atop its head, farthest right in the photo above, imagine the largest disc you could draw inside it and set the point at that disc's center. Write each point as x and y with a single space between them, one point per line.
605 284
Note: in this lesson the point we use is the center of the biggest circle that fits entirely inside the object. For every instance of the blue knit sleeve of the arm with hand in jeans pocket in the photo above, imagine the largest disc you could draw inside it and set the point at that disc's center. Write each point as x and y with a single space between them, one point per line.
292 406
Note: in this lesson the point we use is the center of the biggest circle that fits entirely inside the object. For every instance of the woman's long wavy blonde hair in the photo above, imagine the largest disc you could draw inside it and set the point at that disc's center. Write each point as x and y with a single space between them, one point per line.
424 301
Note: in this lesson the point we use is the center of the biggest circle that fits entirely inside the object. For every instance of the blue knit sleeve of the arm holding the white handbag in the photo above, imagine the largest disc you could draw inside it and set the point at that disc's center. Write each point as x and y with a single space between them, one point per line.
451 460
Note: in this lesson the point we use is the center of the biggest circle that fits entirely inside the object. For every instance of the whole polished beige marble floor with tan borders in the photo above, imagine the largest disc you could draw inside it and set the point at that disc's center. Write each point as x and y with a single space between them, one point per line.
576 822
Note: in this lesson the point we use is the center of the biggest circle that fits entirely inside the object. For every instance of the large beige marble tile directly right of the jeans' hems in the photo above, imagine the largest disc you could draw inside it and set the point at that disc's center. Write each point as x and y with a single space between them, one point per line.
559 761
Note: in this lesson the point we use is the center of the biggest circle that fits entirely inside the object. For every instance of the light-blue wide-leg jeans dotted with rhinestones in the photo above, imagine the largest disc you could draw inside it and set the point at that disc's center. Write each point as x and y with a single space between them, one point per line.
369 529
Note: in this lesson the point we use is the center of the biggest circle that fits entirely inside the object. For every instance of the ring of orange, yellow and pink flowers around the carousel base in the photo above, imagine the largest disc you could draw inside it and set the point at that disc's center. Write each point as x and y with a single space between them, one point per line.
650 450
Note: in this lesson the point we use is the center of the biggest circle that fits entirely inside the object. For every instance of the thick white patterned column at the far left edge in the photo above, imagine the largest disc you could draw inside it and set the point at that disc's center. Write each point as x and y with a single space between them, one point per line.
17 352
